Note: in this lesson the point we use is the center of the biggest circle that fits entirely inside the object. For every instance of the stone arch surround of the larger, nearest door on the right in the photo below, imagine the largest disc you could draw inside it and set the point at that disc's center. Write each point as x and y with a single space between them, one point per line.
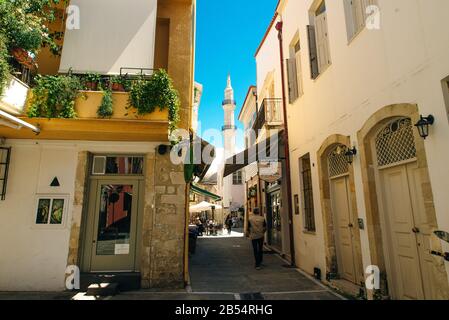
374 224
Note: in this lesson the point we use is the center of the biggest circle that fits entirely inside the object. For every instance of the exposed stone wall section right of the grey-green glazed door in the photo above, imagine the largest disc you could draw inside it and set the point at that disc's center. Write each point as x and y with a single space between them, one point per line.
164 224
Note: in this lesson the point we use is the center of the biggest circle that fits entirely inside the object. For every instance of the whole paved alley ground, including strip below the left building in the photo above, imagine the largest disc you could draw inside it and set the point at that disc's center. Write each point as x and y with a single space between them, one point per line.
221 269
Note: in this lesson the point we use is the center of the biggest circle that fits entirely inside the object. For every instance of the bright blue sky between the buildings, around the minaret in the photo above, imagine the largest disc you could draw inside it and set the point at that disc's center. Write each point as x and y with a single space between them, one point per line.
228 34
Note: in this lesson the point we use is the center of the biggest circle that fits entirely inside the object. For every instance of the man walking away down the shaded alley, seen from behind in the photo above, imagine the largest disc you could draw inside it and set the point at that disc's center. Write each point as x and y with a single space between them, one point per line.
257 226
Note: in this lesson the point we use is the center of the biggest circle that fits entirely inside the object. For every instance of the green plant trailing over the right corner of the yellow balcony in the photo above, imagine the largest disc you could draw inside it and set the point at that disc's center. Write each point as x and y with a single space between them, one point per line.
158 92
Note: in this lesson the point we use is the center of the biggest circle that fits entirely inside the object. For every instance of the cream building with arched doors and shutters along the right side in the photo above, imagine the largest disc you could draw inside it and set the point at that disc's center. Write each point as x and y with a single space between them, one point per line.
368 189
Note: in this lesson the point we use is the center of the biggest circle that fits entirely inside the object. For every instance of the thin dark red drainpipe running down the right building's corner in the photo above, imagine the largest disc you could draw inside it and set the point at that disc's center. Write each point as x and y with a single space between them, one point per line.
279 26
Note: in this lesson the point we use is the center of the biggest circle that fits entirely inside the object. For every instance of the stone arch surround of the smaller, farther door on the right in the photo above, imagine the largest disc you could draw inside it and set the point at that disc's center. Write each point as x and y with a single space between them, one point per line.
328 221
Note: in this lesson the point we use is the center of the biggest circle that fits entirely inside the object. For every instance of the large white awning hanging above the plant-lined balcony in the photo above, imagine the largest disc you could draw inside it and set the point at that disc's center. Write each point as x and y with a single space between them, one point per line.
112 34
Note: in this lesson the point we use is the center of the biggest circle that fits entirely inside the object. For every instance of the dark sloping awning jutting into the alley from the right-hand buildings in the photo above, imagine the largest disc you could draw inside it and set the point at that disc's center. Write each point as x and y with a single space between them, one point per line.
268 150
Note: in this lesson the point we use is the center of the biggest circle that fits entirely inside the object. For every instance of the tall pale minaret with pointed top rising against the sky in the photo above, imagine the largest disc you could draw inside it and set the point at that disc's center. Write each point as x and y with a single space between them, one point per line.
229 127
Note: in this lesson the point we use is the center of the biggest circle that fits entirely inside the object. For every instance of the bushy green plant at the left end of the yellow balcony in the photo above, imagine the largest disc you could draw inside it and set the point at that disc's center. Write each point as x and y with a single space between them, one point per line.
54 97
